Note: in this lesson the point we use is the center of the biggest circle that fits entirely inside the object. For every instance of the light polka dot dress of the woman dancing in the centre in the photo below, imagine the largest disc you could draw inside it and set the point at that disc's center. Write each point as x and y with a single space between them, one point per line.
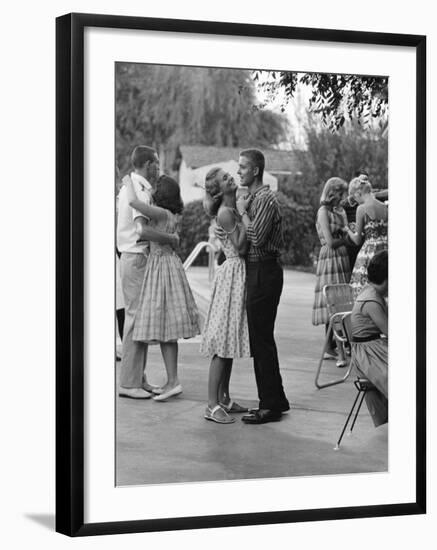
226 333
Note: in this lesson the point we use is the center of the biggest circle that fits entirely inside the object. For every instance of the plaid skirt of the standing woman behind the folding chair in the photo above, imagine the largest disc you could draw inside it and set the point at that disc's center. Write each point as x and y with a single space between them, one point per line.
332 268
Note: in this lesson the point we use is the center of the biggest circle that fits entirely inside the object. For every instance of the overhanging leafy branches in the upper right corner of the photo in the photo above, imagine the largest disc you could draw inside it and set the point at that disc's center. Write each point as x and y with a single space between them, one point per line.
335 97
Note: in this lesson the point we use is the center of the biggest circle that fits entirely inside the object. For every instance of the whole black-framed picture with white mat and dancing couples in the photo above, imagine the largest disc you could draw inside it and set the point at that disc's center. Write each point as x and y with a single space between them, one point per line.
235 225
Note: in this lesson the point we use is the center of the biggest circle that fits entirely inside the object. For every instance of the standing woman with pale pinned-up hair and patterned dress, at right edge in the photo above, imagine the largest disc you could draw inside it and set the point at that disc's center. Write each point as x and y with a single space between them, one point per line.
371 225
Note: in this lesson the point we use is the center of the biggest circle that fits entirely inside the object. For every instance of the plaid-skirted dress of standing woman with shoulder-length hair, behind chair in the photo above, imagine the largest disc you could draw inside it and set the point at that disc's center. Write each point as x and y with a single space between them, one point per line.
332 266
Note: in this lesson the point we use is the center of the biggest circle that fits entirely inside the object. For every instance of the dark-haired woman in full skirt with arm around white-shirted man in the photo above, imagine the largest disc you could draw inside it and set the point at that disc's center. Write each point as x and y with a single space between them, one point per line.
166 309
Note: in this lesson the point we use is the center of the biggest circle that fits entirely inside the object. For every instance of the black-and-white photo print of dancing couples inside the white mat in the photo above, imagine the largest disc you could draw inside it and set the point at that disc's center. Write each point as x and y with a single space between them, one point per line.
251 270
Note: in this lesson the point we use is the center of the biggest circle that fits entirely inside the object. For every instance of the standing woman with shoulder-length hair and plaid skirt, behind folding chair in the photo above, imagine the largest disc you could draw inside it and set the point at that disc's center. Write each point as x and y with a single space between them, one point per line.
333 264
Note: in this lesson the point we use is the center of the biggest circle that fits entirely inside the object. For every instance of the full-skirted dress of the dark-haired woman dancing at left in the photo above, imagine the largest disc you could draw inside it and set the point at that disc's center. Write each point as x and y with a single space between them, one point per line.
166 310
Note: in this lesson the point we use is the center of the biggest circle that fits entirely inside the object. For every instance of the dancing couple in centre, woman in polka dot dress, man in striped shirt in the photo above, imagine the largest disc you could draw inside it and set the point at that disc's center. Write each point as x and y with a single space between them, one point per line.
247 288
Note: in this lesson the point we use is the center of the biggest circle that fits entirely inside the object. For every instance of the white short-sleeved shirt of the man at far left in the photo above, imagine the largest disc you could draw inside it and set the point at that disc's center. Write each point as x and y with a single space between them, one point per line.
126 235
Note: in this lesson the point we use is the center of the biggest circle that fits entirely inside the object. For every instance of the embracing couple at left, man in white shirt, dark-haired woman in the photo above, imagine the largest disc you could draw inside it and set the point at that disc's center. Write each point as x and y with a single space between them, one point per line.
159 305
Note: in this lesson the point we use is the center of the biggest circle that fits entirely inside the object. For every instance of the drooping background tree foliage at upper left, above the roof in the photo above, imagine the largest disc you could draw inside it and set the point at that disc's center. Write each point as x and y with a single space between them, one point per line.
165 106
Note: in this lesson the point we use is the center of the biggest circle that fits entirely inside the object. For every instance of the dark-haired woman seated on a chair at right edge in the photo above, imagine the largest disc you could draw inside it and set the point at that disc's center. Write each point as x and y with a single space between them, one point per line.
369 320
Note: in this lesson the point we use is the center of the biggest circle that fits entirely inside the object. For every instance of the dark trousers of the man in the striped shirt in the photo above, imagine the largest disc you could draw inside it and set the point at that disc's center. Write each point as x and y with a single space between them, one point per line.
264 288
